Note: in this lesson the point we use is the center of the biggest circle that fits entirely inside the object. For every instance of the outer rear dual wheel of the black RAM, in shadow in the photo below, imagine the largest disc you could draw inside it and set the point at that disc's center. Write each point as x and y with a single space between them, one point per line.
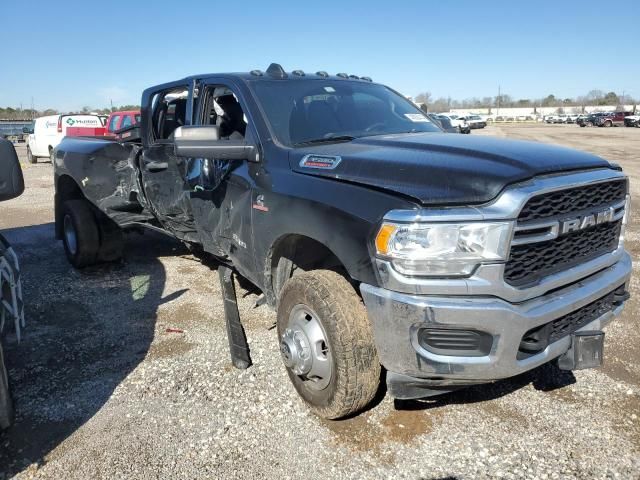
80 234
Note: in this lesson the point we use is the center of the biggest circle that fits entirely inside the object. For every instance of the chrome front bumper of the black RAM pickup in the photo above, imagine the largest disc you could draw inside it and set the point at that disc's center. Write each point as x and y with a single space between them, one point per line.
397 318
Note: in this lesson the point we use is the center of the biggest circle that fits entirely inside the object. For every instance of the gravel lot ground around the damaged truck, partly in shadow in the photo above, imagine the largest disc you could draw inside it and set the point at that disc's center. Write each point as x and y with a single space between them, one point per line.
104 387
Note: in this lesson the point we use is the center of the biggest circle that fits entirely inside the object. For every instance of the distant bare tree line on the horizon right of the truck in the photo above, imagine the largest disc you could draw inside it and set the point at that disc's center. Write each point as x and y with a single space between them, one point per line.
594 97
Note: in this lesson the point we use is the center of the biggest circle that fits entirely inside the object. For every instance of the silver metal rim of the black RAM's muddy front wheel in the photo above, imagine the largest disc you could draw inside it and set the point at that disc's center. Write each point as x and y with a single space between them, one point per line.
305 349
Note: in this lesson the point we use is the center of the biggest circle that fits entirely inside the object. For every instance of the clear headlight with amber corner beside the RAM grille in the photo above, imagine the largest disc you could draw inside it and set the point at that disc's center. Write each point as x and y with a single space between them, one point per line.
442 249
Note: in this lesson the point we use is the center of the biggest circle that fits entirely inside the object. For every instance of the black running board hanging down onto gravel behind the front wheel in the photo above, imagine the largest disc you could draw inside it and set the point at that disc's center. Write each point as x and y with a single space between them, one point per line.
238 345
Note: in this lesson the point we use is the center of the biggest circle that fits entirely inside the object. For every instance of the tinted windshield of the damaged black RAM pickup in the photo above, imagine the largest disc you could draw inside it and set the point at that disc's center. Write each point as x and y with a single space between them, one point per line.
321 110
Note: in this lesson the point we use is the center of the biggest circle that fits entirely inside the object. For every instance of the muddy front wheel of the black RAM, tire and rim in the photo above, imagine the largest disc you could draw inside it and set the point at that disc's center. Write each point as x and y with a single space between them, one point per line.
327 344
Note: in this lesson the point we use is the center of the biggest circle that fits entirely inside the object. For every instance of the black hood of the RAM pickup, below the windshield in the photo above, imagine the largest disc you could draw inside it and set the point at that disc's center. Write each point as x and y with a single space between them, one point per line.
440 168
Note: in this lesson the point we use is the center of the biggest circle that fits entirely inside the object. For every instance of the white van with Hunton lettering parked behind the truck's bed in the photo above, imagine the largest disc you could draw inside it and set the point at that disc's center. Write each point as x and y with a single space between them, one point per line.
50 130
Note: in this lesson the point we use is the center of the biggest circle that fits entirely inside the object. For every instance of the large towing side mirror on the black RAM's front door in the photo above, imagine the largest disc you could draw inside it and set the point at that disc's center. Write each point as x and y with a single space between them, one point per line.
204 142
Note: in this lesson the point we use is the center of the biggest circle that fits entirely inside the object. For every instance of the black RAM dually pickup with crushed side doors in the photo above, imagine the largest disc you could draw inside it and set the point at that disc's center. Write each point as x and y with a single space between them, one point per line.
383 243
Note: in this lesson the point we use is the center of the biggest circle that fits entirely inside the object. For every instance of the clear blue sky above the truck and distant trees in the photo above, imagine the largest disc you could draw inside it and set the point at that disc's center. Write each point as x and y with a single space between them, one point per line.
74 53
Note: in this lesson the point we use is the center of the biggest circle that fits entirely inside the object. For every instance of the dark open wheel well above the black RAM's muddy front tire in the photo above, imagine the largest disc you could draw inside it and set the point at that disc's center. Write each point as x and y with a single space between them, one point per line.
295 254
